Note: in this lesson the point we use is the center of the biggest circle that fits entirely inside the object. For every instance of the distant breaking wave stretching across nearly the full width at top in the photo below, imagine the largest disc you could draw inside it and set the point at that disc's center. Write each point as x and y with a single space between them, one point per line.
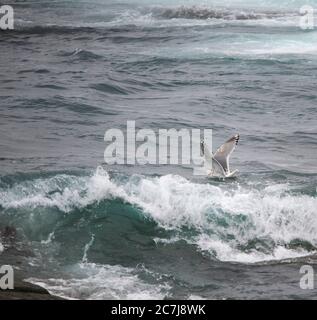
167 16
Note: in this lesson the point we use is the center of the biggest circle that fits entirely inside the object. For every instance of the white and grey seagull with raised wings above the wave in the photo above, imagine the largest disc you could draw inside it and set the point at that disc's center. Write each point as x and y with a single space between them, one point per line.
217 165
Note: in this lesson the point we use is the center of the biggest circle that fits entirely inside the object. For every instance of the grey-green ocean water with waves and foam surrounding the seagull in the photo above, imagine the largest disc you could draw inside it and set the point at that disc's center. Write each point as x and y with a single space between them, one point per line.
83 229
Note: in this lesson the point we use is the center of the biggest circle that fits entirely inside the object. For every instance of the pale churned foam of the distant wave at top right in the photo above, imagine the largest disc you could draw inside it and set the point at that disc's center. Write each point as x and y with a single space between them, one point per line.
204 14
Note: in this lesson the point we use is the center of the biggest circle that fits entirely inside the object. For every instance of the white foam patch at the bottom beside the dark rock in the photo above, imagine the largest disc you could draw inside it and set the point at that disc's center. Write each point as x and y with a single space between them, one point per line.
100 282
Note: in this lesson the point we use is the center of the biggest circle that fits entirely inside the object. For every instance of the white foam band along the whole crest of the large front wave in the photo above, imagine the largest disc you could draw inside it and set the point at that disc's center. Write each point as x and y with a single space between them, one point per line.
226 219
